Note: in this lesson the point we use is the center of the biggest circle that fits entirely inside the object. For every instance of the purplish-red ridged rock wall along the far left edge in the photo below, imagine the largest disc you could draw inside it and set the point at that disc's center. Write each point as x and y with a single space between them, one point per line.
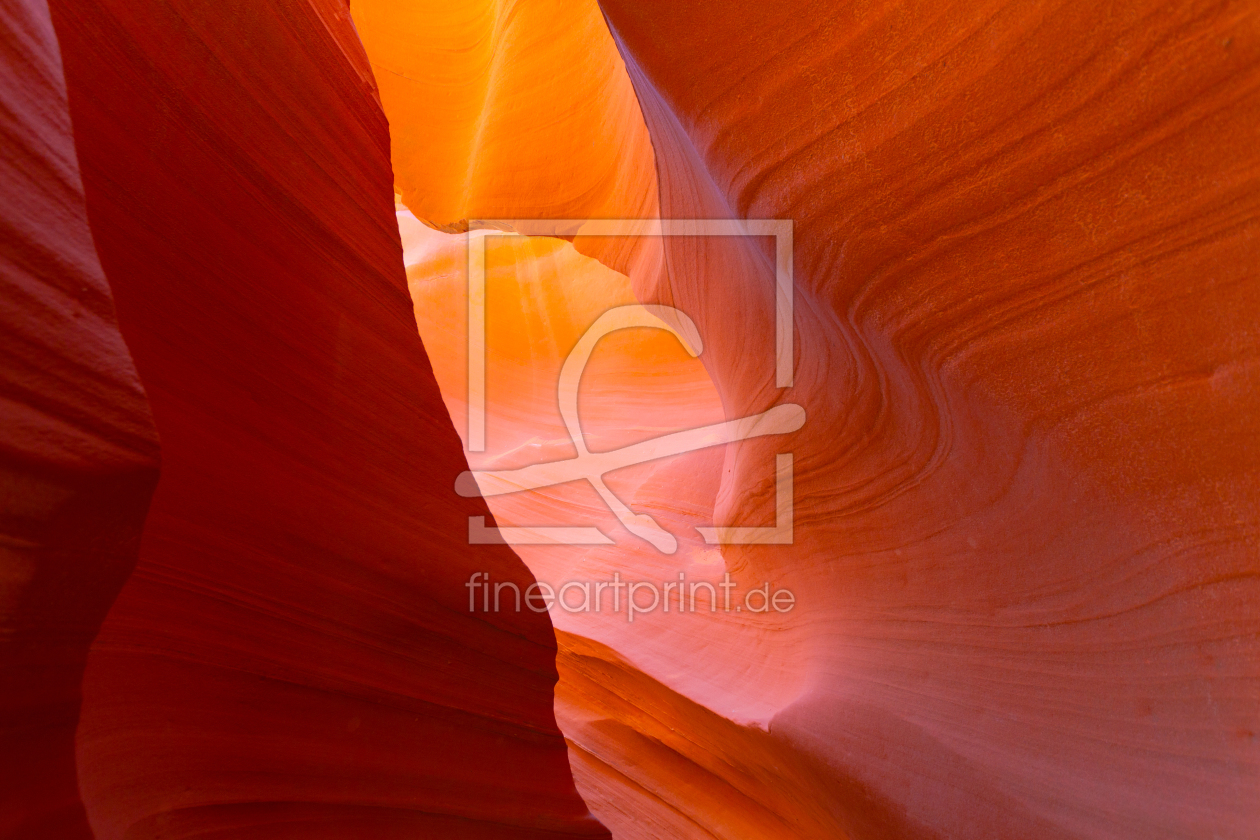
79 453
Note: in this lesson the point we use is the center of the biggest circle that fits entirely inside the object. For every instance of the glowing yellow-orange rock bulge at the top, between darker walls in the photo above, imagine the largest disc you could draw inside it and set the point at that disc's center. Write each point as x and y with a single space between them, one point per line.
498 110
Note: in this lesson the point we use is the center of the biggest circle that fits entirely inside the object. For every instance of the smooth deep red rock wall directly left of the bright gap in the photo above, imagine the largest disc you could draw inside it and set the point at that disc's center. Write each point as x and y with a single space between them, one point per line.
293 657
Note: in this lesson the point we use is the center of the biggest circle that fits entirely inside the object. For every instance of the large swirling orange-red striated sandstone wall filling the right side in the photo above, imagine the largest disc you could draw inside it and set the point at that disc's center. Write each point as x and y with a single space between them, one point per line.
1028 533
